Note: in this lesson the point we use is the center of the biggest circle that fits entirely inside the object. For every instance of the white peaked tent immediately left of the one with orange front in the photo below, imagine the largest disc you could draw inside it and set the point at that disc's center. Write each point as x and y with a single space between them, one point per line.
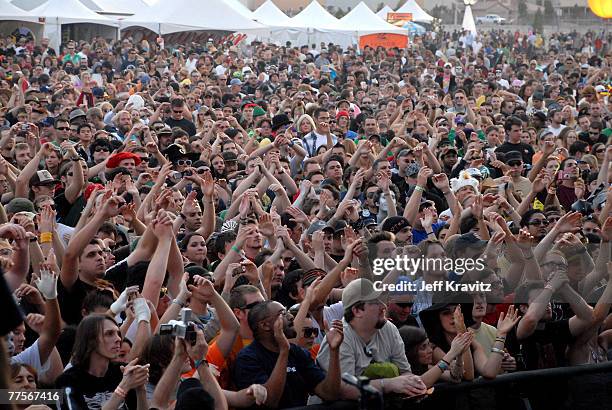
323 27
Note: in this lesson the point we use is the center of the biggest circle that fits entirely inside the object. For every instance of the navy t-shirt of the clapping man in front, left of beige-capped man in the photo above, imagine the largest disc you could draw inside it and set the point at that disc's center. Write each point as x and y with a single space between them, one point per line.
255 363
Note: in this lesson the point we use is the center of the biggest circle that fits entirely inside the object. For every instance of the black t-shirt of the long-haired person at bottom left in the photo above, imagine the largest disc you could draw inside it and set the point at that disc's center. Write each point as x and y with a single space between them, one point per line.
91 392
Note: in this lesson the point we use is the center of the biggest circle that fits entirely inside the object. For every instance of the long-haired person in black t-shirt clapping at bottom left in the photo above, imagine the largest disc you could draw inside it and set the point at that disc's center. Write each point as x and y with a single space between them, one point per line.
94 380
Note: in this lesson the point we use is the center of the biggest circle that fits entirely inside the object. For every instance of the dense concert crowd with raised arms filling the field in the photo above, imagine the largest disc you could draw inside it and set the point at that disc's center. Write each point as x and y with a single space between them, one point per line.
196 226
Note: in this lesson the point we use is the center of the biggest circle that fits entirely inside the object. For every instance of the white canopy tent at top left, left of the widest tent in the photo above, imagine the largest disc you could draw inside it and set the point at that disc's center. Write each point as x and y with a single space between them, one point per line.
59 12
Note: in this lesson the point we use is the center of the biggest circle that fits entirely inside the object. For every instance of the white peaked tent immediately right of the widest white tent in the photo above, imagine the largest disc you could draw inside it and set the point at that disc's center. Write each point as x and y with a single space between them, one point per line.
281 25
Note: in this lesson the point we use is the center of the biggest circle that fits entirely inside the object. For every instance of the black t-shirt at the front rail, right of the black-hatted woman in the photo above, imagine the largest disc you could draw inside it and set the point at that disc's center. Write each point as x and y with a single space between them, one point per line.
544 349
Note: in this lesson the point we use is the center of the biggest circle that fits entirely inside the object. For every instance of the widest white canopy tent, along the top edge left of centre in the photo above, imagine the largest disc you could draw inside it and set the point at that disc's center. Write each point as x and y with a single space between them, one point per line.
165 17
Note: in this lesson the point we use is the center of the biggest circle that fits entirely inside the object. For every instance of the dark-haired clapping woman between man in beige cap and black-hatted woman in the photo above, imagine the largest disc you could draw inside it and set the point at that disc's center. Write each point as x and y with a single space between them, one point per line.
419 352
